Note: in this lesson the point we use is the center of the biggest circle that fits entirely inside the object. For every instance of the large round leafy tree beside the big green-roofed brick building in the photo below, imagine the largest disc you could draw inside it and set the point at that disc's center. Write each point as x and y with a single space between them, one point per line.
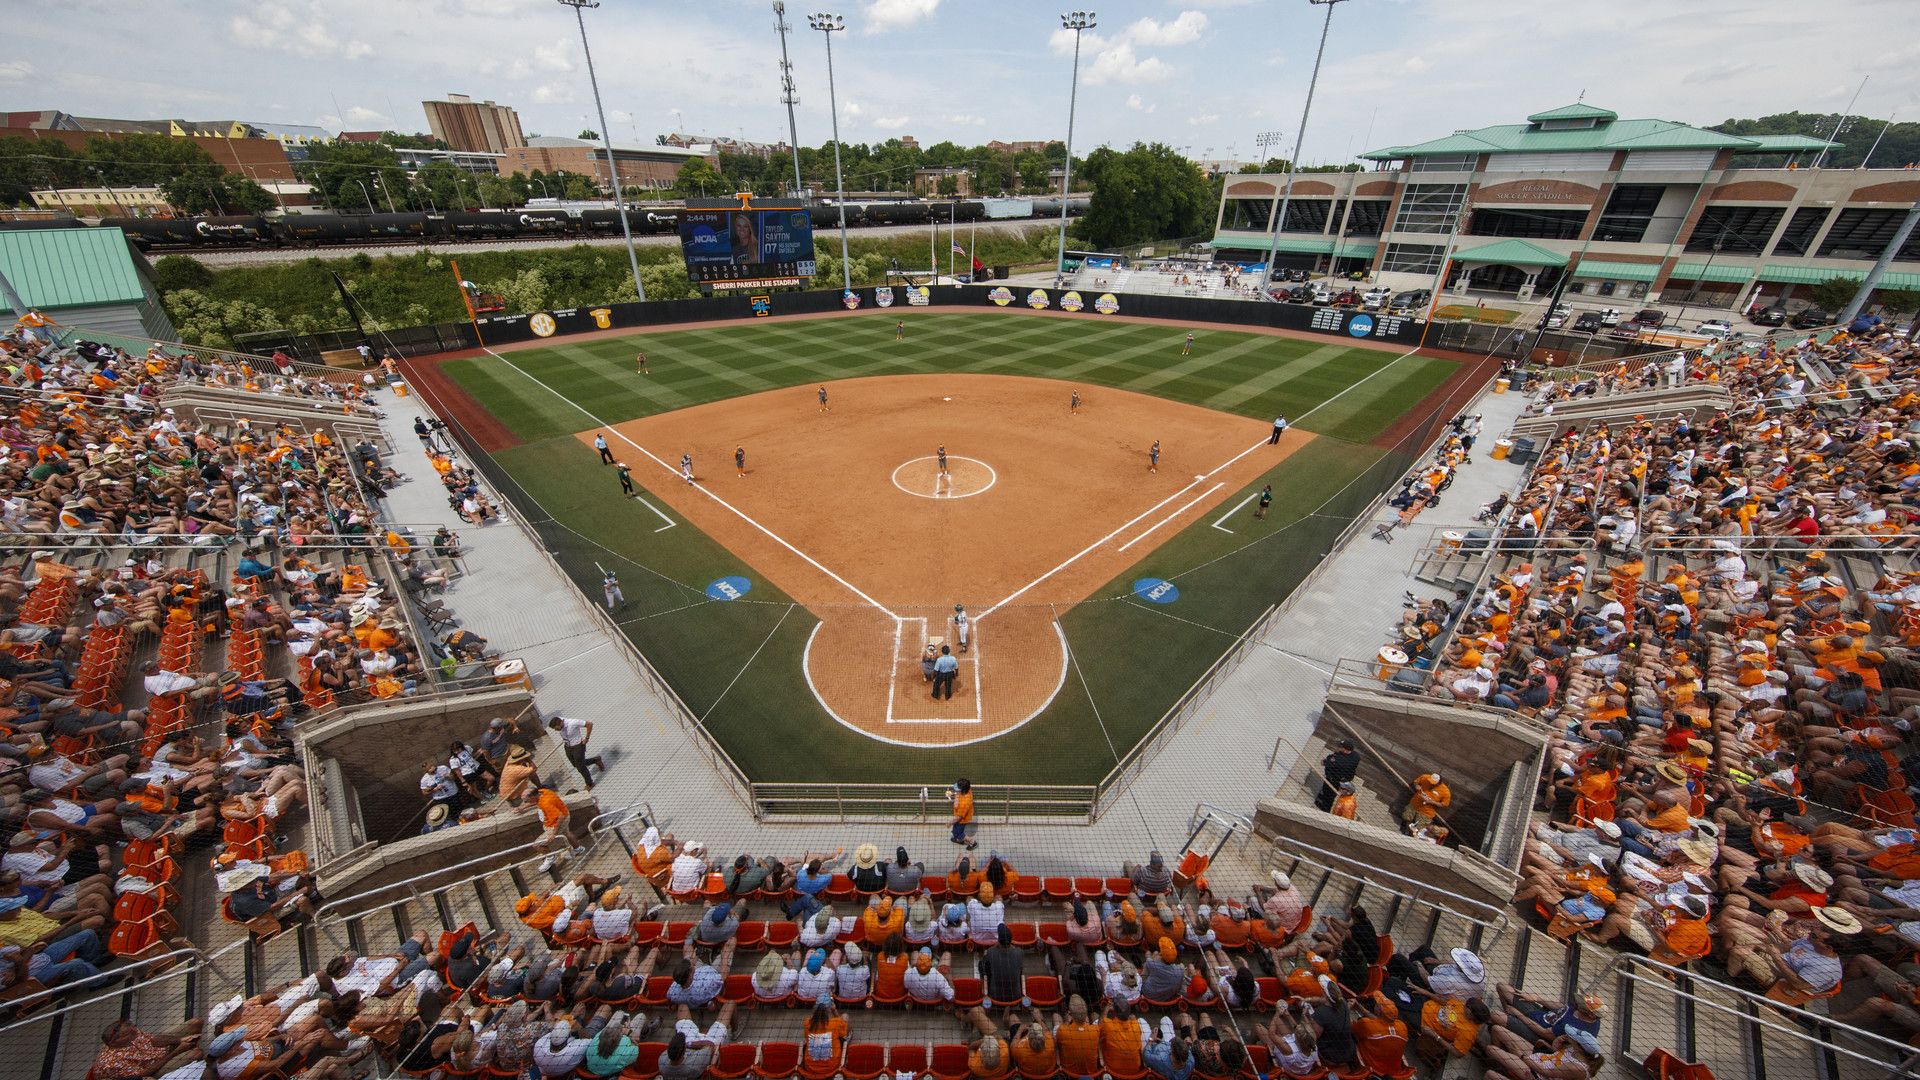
1145 193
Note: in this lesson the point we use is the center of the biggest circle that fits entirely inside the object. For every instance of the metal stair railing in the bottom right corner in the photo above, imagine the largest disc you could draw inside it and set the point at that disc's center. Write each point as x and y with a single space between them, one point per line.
1631 975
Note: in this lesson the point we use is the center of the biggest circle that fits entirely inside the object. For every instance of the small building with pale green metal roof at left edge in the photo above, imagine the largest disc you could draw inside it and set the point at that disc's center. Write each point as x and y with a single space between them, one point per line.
89 280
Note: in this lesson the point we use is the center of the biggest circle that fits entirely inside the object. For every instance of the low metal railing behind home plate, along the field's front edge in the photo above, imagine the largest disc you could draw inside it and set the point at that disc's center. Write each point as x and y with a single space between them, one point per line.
921 804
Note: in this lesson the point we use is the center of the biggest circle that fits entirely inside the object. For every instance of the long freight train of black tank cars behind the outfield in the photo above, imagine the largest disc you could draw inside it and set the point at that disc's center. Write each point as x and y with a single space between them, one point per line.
327 230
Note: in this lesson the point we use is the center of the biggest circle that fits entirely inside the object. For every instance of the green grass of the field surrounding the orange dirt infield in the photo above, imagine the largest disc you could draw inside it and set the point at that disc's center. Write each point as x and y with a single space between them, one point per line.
1136 658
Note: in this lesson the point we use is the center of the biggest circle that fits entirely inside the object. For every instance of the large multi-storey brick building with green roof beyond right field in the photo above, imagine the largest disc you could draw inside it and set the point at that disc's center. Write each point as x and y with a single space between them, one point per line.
1631 210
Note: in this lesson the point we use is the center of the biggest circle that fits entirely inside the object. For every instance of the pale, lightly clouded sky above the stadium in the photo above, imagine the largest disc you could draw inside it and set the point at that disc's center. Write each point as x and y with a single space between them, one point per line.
1203 76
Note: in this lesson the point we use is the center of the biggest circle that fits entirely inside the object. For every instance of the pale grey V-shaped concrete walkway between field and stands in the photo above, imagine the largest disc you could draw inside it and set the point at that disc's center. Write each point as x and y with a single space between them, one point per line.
523 604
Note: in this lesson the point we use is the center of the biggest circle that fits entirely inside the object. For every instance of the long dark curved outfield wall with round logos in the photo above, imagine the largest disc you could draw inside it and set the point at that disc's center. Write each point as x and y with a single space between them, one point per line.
567 322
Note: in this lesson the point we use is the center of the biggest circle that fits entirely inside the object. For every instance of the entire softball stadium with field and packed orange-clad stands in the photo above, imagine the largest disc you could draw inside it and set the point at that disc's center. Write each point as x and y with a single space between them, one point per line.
1109 670
